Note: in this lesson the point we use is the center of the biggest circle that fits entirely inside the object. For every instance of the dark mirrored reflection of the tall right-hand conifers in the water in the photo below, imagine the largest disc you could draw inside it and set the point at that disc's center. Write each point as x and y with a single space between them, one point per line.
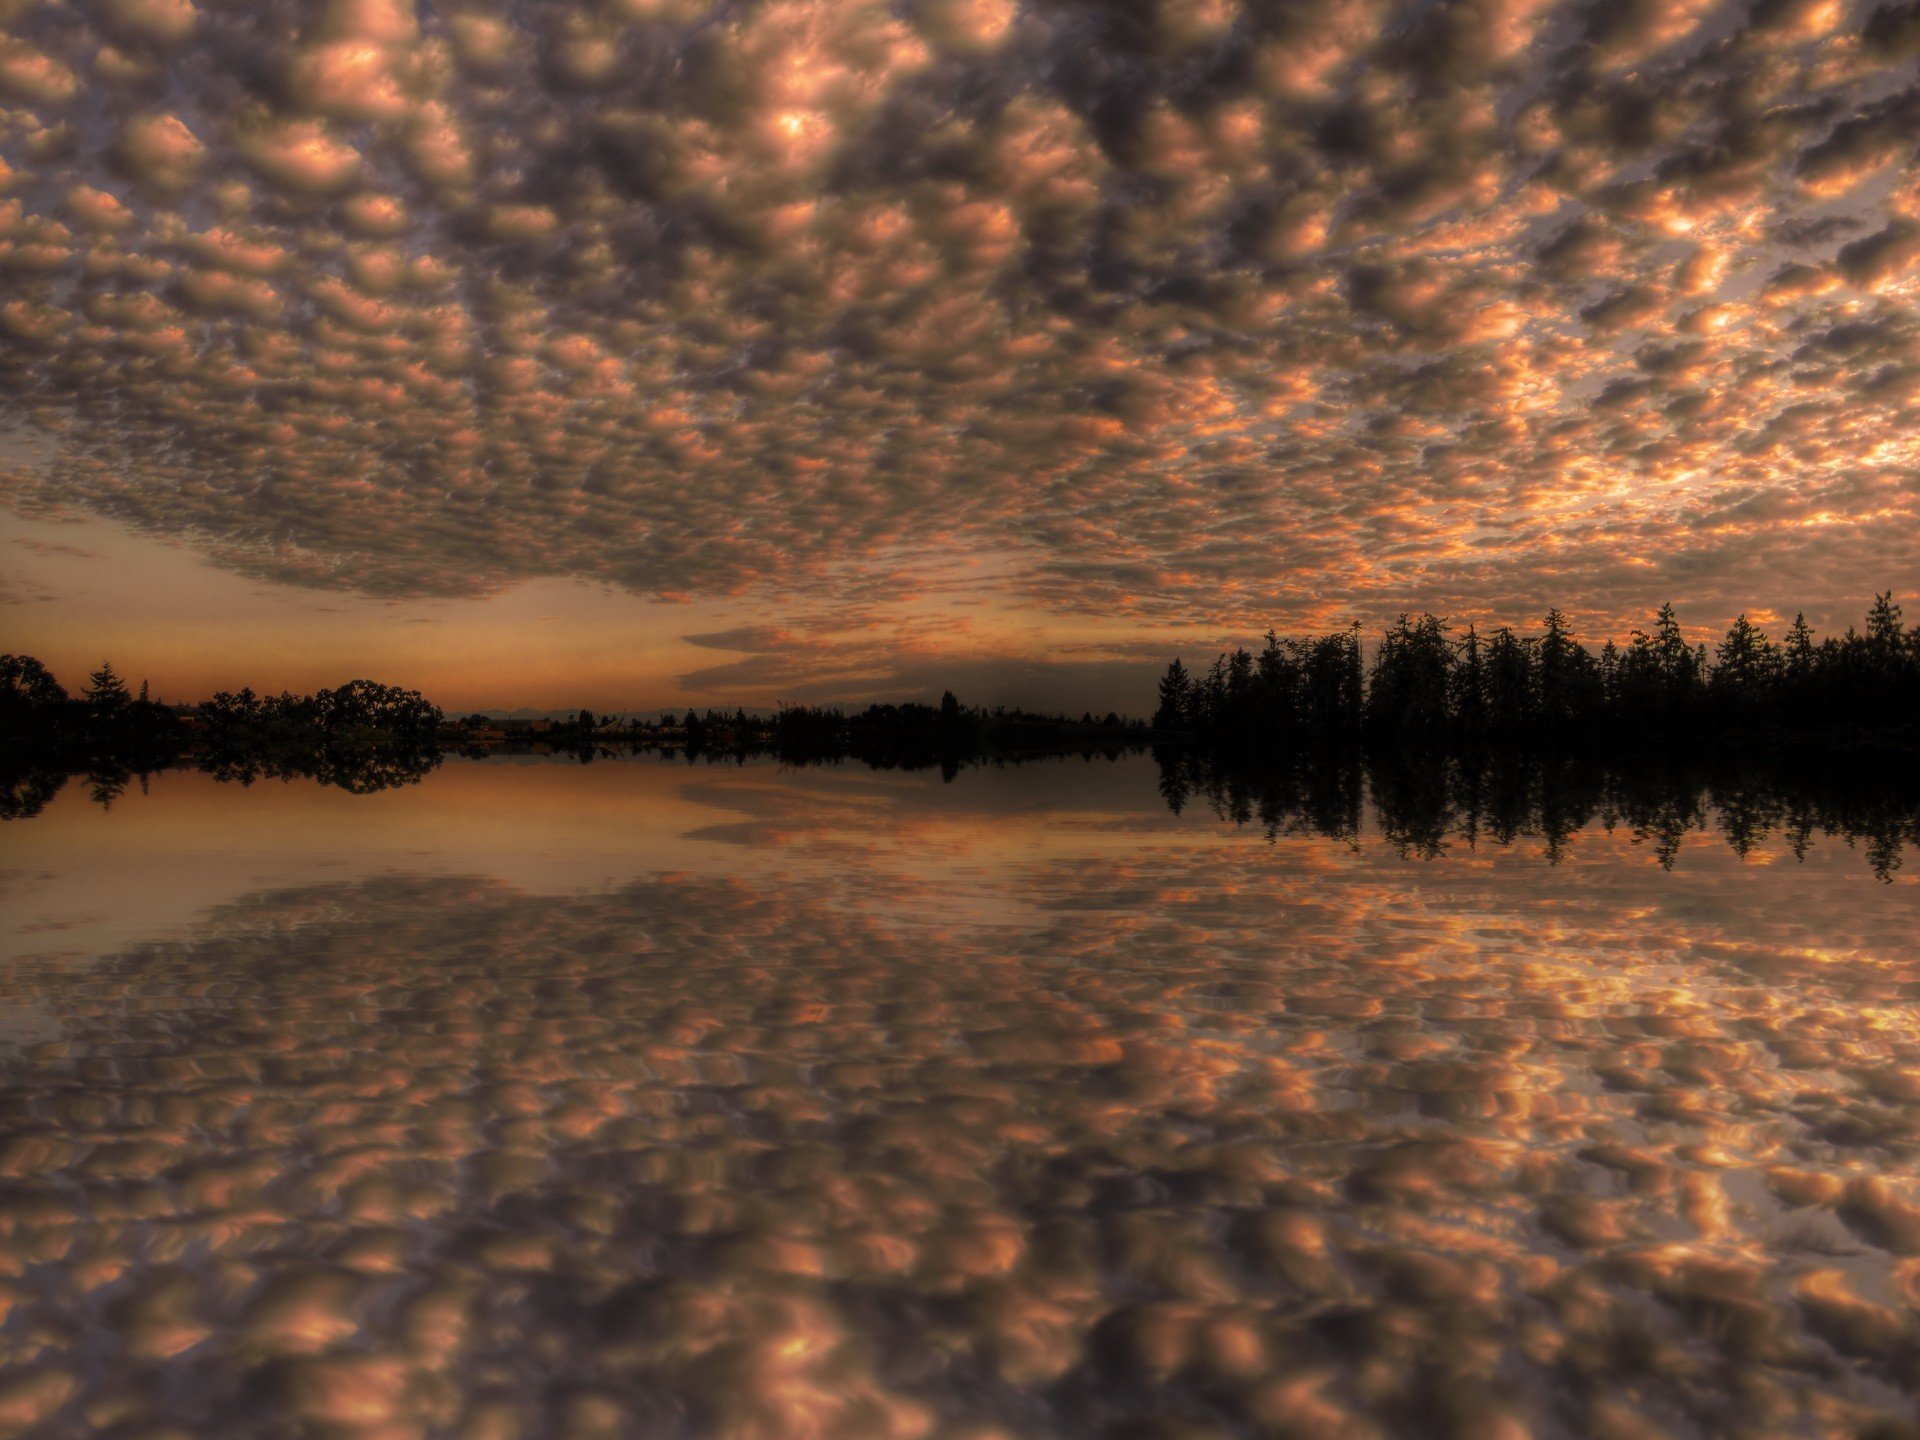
1429 804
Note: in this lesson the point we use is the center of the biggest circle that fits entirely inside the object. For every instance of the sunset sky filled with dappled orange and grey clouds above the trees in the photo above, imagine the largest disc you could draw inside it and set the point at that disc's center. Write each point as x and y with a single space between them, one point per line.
644 352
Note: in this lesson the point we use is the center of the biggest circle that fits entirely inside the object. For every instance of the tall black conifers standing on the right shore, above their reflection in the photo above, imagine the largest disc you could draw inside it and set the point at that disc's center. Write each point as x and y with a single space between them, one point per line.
1431 684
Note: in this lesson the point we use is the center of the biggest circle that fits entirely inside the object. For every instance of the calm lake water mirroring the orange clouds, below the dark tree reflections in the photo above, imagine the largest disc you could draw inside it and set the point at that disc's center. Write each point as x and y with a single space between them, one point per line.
656 1101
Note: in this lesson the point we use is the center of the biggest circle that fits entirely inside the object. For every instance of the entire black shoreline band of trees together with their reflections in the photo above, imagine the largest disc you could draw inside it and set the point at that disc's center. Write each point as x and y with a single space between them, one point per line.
1447 740
